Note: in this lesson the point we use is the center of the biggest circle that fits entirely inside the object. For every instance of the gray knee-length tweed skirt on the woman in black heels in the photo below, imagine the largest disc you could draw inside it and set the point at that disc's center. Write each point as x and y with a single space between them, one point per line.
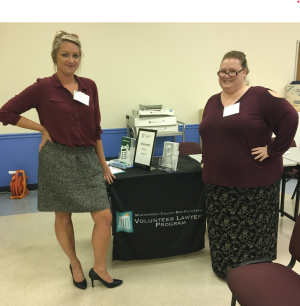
70 179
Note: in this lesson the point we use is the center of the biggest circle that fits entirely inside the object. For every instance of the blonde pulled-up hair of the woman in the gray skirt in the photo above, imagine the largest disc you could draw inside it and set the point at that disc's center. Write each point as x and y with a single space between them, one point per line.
61 37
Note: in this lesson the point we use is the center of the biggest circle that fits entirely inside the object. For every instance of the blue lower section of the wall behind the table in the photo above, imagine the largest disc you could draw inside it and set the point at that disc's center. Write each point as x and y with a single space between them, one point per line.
21 151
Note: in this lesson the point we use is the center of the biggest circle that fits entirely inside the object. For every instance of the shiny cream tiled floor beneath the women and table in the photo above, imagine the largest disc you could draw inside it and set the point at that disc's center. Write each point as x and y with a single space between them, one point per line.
34 270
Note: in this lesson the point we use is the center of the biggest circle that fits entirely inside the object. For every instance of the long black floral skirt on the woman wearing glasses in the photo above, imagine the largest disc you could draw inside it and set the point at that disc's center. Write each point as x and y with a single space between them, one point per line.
242 224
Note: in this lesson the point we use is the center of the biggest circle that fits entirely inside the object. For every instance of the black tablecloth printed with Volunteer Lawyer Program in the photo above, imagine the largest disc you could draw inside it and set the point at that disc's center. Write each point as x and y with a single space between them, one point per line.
158 214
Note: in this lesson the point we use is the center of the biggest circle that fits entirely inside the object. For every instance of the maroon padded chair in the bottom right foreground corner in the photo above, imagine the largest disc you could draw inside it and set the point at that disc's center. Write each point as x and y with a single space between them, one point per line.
260 282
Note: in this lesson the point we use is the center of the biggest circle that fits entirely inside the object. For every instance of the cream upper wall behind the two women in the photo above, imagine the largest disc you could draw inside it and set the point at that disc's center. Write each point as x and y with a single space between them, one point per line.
170 63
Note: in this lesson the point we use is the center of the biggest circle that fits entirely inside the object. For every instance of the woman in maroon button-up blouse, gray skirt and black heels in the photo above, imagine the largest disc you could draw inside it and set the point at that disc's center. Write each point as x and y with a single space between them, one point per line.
72 165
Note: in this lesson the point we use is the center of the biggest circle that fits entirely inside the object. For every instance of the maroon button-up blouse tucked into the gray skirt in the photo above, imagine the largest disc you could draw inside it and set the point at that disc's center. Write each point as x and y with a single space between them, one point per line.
68 121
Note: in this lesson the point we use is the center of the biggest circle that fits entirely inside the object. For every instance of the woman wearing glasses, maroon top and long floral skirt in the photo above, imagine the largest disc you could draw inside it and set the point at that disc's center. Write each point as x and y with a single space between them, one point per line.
242 167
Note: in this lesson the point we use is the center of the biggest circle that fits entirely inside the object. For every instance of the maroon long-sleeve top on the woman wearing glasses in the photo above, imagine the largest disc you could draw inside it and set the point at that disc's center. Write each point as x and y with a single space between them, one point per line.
227 141
